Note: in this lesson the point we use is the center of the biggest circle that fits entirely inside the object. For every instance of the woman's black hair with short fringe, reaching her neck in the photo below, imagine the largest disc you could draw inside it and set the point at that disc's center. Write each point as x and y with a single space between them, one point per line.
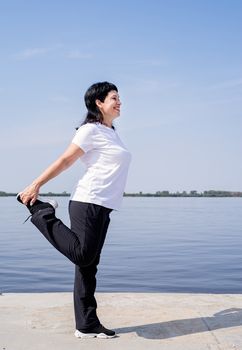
97 91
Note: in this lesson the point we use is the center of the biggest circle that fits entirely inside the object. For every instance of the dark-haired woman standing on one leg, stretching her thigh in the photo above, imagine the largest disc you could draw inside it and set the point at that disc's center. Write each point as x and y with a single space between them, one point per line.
97 193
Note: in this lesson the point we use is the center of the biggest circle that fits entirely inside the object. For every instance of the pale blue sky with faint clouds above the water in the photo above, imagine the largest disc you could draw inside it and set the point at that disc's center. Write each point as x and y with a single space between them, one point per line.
178 66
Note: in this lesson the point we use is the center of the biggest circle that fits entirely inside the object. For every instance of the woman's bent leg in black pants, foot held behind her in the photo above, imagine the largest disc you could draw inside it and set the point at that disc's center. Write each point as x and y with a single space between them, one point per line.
79 245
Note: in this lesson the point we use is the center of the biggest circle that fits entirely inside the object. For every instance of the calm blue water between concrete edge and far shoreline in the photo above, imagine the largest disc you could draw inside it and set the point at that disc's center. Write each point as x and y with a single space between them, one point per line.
153 245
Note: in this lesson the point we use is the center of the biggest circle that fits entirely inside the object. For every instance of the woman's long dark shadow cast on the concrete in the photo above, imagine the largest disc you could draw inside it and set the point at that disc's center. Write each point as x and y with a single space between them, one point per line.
171 329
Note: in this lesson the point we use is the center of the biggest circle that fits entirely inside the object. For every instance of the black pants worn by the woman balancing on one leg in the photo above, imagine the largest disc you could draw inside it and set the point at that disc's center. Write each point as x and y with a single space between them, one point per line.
82 245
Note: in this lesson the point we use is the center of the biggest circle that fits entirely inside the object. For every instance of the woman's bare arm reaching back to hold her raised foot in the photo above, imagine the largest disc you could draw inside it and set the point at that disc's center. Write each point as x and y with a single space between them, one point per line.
72 153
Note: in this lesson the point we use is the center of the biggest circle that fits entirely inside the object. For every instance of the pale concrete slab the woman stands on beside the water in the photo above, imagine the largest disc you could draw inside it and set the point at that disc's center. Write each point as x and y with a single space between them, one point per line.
142 321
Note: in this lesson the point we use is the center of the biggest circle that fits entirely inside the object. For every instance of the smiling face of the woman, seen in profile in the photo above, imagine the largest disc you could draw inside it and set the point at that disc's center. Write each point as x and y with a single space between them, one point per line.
110 107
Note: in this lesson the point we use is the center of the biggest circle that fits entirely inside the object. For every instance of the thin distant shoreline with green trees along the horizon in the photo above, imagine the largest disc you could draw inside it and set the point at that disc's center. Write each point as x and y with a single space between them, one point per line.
163 194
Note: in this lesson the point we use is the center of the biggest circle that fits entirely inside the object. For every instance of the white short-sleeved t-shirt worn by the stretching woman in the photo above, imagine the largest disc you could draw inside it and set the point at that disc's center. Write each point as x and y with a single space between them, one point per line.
107 161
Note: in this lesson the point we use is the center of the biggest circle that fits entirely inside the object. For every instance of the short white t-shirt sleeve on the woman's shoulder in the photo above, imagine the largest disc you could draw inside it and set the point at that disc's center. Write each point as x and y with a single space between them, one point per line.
84 137
